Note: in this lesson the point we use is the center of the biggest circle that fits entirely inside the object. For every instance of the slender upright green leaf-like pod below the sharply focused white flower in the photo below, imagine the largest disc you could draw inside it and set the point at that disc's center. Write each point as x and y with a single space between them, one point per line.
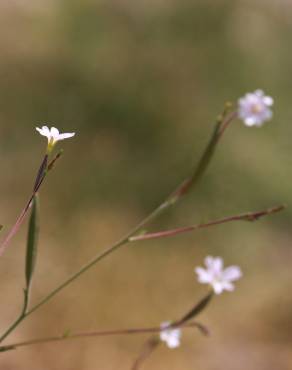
32 241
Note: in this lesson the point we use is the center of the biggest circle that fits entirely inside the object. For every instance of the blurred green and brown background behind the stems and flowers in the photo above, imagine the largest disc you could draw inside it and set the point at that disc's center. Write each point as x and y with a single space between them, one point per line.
141 83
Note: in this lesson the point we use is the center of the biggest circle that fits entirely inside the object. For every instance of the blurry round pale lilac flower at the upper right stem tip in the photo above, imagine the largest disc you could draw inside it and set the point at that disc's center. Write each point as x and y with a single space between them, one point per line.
254 108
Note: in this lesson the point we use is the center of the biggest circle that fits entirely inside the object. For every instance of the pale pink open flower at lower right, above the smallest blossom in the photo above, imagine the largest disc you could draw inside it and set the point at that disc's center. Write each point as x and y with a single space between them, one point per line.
218 278
